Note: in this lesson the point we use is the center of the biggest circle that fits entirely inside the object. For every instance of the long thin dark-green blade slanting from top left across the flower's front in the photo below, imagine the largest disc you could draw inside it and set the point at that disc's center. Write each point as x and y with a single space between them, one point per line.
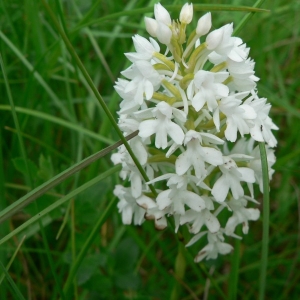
97 94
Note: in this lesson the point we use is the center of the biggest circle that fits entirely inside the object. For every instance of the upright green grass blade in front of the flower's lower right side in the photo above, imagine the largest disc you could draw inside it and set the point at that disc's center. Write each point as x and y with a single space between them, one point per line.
266 216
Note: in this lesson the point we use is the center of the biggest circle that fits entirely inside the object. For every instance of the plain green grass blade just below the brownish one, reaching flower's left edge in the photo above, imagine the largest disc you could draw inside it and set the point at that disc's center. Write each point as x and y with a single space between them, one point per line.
60 202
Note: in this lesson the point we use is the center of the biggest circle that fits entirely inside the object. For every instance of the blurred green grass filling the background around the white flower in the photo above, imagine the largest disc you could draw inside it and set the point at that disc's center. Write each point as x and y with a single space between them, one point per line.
51 120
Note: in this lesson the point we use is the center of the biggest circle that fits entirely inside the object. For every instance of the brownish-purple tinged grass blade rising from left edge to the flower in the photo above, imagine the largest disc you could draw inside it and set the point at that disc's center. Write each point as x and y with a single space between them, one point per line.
42 189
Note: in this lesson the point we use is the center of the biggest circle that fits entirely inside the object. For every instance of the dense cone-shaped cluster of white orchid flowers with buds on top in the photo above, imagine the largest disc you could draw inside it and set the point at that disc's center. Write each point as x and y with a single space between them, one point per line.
199 119
